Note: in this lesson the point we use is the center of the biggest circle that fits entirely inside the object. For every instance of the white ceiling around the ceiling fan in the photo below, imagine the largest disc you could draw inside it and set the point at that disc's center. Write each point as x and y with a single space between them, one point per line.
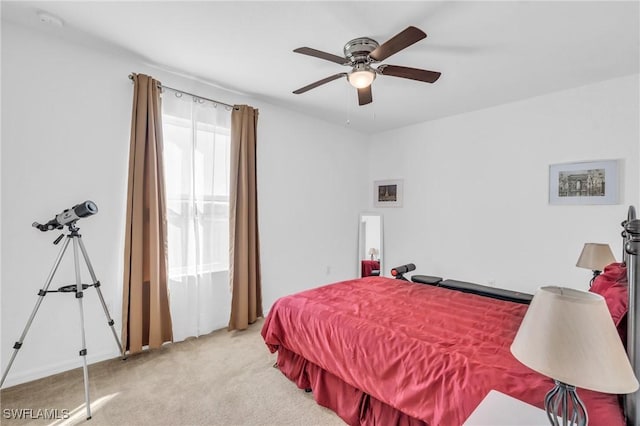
489 53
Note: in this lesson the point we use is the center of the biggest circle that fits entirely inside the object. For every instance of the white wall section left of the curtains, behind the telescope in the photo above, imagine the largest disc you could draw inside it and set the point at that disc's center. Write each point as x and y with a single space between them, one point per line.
64 140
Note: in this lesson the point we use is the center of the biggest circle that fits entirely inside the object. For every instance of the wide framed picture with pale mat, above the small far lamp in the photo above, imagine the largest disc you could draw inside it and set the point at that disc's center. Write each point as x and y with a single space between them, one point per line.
593 182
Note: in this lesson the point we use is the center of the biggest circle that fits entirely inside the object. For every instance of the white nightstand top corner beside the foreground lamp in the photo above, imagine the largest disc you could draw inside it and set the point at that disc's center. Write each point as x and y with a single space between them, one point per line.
498 409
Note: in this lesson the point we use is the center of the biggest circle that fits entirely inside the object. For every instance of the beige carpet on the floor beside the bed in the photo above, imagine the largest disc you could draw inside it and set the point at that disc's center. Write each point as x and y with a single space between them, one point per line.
224 378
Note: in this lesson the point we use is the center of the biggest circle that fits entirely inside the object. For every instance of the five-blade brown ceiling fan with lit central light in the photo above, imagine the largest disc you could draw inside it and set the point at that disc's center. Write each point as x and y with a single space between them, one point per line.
360 53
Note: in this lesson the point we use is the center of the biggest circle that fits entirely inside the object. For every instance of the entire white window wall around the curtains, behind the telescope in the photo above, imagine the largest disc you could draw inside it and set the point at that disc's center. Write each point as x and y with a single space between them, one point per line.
65 139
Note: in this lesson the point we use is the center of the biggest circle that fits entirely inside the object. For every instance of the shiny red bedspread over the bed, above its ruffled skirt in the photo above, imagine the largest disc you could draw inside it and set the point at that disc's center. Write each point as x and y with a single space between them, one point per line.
429 352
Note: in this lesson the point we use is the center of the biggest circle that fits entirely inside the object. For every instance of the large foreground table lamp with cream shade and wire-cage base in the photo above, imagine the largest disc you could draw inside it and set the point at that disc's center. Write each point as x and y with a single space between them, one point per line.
569 335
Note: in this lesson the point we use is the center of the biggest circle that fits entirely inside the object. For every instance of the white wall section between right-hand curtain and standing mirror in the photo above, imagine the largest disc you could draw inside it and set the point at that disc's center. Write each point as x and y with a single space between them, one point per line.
312 186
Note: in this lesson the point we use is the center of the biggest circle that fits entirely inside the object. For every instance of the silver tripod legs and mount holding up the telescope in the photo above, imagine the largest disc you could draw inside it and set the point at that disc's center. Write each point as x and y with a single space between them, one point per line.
78 290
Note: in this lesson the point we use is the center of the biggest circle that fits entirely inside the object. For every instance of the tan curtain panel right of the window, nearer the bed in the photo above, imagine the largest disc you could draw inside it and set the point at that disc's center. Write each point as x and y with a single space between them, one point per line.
244 253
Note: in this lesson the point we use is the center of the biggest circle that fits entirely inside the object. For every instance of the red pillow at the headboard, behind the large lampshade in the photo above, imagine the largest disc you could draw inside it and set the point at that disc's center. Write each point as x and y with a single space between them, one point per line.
612 285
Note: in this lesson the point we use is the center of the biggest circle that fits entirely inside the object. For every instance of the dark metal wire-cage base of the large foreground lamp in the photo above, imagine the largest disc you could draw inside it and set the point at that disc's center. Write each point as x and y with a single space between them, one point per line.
565 398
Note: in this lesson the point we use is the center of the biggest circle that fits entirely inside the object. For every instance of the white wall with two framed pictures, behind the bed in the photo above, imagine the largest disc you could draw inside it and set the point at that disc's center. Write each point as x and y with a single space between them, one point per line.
476 187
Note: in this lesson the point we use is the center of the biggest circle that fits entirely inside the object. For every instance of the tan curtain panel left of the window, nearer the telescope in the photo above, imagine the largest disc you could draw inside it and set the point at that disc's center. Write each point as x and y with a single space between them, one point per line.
146 319
